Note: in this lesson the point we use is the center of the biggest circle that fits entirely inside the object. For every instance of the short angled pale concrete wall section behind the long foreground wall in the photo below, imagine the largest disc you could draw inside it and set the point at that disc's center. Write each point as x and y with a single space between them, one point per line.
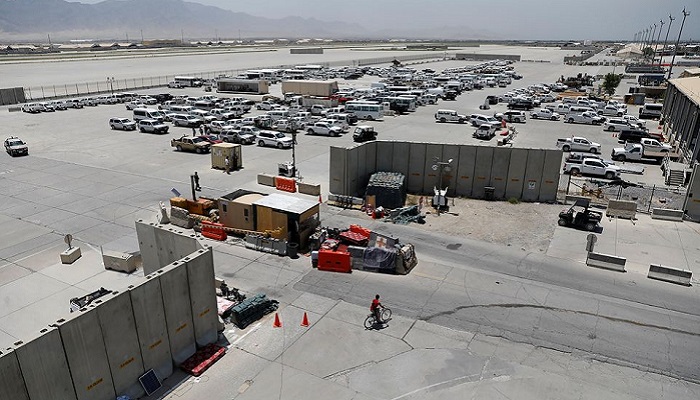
160 245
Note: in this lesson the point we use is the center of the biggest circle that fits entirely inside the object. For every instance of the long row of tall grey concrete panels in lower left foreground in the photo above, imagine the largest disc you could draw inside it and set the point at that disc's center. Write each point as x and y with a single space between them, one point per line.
100 351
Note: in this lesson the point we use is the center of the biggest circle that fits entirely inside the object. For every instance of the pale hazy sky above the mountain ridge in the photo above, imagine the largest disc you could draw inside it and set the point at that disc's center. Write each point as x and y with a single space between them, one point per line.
516 19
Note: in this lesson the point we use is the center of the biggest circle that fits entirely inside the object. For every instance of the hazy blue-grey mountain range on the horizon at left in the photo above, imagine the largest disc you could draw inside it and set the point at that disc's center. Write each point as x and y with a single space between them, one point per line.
175 19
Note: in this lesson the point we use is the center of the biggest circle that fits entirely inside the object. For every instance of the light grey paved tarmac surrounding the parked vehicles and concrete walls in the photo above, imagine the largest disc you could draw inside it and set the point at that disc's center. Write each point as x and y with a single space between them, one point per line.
81 178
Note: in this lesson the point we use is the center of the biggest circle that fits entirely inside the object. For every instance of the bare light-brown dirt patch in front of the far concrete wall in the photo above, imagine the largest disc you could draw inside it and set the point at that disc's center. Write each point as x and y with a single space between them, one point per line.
527 226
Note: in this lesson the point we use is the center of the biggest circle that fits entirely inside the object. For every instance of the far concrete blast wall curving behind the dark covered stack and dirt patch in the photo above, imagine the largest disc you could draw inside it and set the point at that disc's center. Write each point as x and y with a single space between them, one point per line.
525 174
